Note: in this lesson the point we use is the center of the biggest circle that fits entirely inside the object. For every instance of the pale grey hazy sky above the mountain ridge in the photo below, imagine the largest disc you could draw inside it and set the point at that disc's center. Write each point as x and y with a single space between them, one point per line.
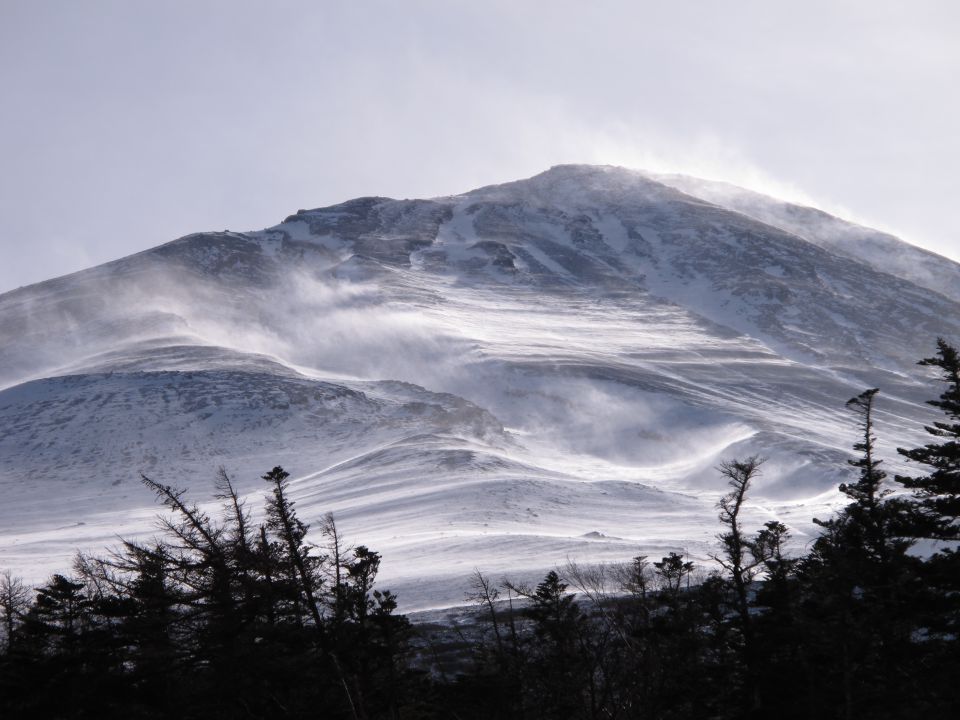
126 124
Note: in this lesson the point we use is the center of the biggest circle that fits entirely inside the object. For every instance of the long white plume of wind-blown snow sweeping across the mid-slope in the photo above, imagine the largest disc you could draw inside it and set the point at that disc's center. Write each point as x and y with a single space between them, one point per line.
335 329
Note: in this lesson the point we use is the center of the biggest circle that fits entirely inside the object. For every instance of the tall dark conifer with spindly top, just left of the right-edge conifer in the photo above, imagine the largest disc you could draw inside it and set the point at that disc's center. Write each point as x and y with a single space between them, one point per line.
859 584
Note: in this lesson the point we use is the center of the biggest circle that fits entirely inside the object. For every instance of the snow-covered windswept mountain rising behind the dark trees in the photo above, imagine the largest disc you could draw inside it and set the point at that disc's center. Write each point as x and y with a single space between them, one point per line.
503 379
